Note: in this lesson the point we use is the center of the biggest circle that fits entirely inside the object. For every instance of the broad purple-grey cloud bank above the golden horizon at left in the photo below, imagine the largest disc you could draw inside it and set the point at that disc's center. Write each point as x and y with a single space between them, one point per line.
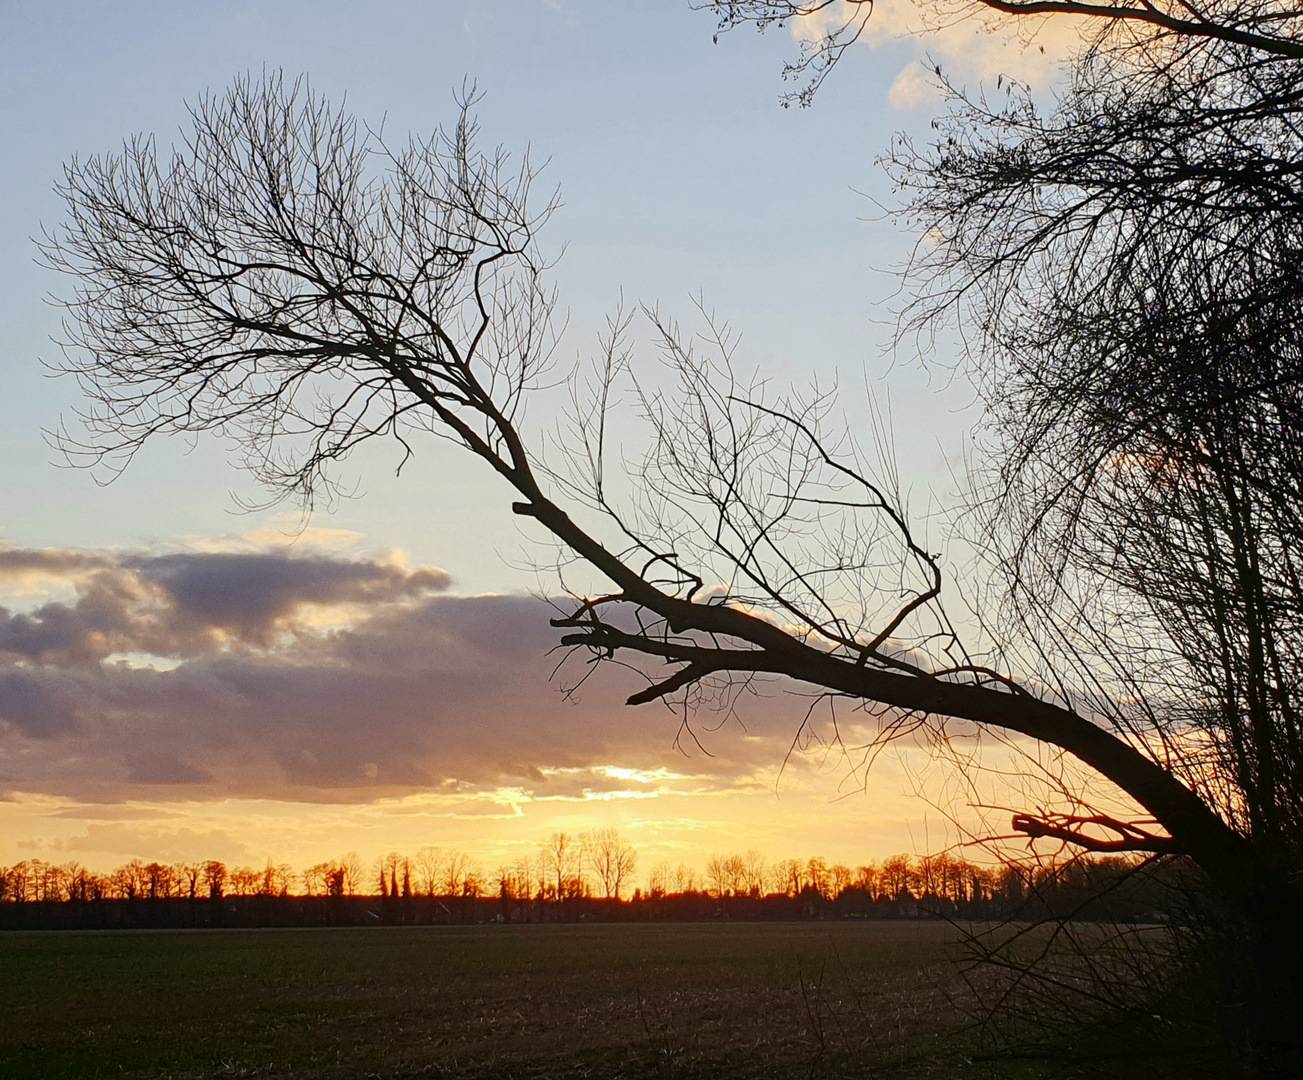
406 690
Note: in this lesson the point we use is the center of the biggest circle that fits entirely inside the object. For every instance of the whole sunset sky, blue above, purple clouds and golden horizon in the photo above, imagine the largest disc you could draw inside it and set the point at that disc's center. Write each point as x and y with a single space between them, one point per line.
182 678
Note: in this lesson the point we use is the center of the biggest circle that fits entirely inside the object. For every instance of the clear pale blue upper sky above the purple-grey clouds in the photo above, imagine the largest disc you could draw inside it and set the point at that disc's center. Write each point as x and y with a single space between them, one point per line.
680 175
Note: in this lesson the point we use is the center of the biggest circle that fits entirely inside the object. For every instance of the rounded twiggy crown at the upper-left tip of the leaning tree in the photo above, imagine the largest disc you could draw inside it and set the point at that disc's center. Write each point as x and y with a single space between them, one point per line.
289 281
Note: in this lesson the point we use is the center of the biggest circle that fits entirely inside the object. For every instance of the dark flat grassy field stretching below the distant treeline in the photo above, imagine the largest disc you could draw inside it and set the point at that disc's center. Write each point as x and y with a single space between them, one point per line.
594 1001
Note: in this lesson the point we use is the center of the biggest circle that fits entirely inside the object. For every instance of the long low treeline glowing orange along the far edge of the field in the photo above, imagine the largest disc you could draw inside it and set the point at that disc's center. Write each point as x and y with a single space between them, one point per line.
567 879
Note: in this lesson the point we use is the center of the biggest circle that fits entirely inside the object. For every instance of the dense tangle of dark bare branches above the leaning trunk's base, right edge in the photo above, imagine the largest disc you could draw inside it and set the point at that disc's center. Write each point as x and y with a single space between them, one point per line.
1130 265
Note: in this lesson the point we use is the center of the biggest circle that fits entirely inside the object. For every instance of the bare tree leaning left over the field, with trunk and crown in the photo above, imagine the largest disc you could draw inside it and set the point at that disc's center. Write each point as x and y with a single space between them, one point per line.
289 281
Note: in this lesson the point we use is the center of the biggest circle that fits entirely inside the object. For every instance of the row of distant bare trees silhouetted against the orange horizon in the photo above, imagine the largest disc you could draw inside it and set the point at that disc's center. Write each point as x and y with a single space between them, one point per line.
599 866
